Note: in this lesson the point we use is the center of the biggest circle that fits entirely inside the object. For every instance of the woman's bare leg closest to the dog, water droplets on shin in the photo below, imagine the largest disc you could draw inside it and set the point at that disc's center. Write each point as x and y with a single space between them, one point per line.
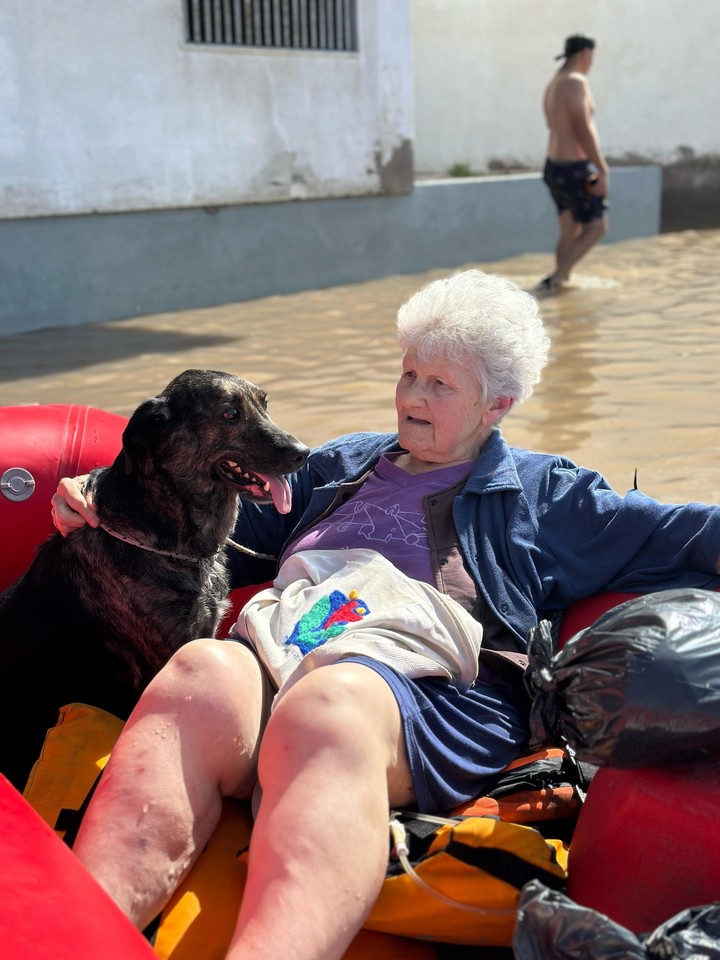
192 739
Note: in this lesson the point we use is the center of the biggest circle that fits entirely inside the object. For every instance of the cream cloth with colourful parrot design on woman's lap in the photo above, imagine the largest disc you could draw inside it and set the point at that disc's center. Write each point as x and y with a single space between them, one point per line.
326 605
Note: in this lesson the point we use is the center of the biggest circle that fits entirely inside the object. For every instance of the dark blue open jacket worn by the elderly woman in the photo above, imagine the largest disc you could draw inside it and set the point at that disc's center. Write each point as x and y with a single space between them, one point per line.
537 532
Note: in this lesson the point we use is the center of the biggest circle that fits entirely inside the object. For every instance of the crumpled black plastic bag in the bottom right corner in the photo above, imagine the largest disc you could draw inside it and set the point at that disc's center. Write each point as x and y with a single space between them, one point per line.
551 926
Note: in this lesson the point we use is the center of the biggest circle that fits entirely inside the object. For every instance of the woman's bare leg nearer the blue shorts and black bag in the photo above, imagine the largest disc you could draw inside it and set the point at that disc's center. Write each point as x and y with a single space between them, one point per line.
332 762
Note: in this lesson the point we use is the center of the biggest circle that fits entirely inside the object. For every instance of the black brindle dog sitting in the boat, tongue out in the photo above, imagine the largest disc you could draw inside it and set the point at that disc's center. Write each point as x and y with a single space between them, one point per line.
98 613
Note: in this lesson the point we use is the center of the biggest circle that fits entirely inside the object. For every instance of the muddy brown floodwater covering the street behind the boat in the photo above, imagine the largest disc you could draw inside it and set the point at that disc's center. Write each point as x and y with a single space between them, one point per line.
633 382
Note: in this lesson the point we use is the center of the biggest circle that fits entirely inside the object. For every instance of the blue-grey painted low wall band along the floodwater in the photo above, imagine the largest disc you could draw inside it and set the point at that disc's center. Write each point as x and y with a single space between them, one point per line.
61 271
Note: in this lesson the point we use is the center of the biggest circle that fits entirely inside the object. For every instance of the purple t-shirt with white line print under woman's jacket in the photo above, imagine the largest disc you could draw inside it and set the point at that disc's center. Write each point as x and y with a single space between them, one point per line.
386 514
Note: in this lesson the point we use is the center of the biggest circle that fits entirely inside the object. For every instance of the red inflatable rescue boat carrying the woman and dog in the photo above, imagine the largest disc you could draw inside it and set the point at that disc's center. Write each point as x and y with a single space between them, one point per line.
51 908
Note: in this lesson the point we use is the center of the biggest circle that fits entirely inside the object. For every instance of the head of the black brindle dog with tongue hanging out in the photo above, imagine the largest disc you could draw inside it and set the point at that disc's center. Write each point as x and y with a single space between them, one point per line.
209 427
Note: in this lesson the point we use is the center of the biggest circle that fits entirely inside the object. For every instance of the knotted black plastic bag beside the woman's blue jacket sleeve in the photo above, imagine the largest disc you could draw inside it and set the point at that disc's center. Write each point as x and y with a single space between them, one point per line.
639 687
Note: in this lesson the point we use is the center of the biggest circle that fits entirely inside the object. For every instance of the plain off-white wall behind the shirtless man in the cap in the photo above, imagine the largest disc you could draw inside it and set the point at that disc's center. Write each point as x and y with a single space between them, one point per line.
480 67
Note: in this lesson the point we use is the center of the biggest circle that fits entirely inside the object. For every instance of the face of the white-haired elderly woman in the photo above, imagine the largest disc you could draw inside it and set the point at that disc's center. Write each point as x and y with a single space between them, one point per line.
442 416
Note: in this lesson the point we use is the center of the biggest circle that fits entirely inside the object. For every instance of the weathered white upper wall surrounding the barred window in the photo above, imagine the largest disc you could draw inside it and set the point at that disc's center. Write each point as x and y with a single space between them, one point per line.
104 107
